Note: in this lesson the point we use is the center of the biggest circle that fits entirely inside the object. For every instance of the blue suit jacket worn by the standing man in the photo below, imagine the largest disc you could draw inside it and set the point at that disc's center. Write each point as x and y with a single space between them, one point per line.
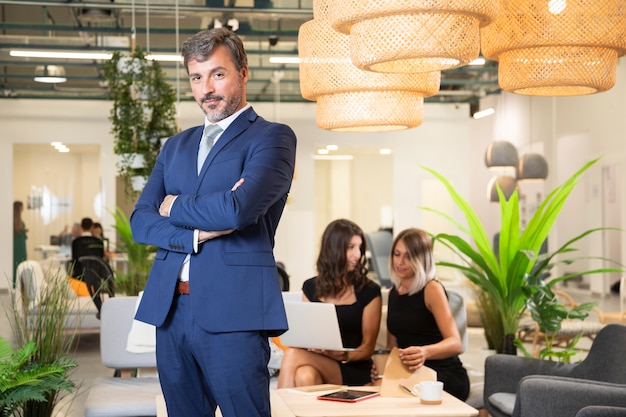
233 278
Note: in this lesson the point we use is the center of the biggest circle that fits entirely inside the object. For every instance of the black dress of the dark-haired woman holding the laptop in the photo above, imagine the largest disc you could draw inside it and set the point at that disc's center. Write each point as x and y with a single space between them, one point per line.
350 317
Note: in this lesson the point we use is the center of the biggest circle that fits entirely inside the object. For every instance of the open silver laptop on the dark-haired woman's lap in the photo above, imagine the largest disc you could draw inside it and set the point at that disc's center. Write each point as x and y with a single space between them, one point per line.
312 325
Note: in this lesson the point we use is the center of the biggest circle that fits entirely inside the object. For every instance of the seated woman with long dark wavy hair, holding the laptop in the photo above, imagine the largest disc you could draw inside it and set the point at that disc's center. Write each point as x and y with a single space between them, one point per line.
342 280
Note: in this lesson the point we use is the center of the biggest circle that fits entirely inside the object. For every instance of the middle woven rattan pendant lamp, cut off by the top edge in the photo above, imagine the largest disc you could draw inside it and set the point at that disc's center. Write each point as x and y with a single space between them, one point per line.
411 35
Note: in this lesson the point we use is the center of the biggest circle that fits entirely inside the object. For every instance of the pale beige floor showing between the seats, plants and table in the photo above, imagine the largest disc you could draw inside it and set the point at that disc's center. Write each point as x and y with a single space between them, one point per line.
89 366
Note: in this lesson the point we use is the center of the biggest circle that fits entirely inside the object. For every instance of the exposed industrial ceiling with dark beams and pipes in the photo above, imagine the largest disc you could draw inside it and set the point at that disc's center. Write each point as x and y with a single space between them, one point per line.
268 28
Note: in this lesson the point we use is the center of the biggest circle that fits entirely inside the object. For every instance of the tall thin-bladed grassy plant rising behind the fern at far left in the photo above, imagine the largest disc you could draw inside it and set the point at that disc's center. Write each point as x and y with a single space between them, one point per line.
45 324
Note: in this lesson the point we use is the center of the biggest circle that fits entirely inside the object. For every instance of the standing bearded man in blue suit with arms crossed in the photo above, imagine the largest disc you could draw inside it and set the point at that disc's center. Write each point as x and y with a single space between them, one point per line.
213 291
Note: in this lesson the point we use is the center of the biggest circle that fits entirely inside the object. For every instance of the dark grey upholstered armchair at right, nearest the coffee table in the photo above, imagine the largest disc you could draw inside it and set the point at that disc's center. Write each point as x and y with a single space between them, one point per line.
514 387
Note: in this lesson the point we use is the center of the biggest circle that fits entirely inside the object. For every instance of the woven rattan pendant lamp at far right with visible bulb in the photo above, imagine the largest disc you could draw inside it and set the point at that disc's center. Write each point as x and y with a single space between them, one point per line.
556 47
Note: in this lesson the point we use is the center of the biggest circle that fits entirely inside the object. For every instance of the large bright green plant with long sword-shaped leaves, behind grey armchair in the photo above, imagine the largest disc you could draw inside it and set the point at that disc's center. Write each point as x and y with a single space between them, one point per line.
503 277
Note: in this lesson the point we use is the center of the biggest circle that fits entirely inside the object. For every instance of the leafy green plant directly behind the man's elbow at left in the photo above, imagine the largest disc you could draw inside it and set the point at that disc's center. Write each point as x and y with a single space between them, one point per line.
140 258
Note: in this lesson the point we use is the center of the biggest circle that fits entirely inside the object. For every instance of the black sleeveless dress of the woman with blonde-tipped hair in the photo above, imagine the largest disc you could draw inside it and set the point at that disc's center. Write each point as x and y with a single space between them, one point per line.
410 321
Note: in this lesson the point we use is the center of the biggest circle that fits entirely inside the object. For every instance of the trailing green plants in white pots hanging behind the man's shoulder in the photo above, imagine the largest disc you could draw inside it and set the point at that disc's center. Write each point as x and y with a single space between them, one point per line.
143 112
